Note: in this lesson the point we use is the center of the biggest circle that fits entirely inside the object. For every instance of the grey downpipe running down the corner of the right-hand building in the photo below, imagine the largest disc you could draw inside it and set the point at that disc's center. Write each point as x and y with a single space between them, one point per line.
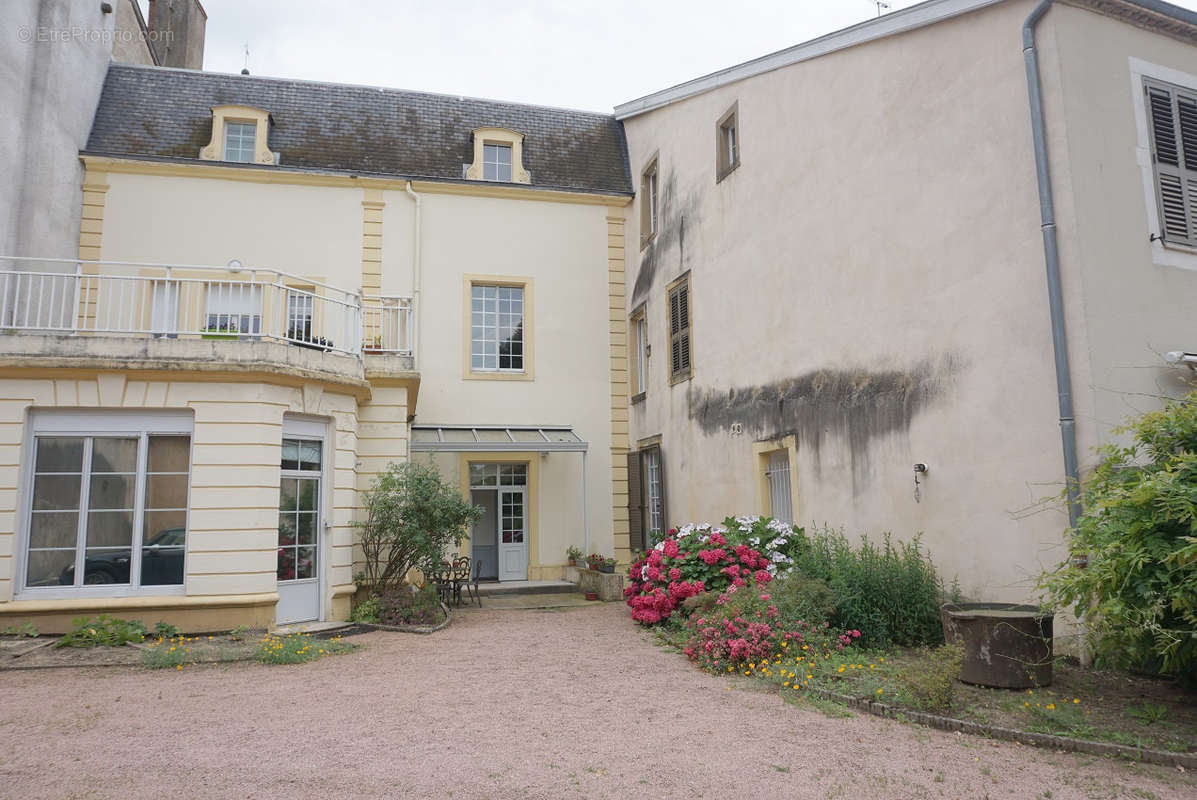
1052 258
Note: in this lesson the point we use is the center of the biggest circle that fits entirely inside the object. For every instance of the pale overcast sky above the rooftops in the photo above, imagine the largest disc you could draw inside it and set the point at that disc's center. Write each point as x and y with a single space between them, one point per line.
569 53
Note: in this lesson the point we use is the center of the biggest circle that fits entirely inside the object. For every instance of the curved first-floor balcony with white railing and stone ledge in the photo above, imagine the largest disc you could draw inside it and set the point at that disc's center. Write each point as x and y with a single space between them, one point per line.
136 314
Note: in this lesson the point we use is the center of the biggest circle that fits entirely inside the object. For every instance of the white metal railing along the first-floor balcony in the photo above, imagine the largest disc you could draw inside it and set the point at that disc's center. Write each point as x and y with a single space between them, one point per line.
197 302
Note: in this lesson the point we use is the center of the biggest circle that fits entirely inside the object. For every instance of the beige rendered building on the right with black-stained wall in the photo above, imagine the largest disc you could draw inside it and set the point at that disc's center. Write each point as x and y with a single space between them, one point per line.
862 278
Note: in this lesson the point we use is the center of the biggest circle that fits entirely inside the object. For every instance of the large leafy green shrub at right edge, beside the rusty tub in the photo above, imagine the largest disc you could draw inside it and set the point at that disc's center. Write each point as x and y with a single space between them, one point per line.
1139 532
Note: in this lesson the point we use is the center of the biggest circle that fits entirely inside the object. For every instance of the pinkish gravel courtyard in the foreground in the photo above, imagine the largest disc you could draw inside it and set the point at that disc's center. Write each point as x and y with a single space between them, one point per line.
501 705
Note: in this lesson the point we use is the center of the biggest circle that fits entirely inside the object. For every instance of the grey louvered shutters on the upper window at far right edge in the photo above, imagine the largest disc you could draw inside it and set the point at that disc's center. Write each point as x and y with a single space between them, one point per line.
1174 128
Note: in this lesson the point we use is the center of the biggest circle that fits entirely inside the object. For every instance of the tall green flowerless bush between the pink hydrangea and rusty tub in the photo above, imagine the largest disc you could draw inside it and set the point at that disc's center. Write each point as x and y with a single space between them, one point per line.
891 593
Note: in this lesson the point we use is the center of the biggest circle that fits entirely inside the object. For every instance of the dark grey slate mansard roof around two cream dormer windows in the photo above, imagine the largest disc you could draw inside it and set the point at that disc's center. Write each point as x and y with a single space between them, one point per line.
165 113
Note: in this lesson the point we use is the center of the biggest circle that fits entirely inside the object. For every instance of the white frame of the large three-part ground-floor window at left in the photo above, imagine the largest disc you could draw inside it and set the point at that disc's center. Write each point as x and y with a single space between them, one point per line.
139 423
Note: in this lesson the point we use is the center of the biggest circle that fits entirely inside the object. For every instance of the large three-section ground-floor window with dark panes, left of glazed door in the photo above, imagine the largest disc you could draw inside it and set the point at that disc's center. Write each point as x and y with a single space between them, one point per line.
108 511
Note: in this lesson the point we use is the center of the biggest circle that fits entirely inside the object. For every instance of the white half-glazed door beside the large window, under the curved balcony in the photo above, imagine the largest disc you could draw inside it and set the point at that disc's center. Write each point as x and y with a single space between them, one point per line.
301 524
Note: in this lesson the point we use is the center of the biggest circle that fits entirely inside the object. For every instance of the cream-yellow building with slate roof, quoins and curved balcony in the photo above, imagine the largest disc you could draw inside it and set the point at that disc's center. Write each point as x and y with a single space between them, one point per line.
254 330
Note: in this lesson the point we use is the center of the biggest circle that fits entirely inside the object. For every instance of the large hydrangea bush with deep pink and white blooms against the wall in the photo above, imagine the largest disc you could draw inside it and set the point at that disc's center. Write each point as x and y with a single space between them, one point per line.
706 559
